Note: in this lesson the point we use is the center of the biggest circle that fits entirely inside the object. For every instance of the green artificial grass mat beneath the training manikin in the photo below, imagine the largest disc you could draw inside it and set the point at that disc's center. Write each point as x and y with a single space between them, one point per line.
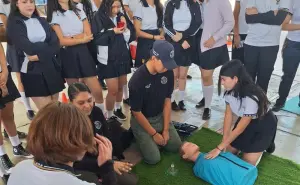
272 170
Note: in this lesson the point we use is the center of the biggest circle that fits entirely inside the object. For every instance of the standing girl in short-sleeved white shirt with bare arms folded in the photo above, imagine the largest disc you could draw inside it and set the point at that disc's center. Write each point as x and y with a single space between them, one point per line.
73 30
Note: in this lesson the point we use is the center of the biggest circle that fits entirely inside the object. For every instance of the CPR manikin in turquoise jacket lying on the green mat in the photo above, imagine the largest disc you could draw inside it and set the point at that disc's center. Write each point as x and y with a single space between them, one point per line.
225 169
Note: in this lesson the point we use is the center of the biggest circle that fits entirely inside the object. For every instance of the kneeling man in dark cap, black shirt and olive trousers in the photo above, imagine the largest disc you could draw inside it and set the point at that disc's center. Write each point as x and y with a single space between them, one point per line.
150 90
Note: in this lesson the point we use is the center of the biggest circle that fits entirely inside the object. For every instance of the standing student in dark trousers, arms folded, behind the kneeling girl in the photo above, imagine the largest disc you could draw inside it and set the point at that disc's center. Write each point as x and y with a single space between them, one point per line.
262 42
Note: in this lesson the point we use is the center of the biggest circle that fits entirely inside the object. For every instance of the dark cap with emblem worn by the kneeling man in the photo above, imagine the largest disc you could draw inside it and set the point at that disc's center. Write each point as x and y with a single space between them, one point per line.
165 52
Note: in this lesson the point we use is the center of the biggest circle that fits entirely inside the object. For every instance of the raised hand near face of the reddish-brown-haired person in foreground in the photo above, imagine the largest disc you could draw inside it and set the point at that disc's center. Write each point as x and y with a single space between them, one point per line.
104 149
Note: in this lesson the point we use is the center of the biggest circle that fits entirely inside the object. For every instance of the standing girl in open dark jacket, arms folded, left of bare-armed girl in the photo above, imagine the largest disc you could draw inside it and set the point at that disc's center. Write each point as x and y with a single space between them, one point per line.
37 46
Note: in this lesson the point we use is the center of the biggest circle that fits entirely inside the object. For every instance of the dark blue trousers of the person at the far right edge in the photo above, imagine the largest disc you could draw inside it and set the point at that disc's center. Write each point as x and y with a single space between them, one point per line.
291 60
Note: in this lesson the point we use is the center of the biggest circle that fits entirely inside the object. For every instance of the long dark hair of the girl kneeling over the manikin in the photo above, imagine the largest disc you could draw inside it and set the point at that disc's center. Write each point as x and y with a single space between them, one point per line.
245 86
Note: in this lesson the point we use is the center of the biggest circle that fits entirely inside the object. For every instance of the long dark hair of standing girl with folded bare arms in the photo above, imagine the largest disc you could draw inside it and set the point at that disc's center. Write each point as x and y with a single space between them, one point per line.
54 5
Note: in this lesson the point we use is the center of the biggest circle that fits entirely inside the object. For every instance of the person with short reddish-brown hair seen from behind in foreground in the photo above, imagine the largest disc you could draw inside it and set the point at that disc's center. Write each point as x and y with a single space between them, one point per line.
58 136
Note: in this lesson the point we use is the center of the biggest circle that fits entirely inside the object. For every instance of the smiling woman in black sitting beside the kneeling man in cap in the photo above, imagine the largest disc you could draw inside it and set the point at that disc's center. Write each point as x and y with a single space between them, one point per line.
81 97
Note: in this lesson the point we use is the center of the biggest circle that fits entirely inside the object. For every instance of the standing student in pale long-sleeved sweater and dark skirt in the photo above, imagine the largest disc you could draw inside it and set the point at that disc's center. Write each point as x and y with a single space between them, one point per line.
218 23
